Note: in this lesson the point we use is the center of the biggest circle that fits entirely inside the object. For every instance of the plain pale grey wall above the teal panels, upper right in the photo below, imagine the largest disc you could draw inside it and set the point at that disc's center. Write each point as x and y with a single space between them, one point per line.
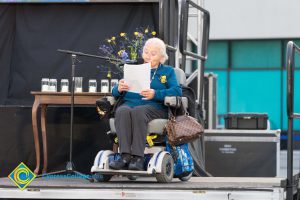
254 19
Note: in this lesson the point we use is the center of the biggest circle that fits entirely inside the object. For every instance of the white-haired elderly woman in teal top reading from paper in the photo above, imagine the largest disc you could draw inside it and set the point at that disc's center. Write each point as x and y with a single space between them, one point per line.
133 115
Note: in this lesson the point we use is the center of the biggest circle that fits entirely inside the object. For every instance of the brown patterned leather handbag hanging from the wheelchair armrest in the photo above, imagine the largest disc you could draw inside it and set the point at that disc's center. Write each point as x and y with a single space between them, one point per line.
183 128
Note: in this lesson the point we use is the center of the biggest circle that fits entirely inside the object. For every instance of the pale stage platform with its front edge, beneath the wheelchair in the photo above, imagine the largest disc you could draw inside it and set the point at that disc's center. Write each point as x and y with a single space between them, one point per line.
147 188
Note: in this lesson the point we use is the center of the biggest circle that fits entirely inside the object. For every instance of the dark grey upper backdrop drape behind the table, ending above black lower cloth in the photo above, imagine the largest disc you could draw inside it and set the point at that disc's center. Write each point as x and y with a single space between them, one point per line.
32 33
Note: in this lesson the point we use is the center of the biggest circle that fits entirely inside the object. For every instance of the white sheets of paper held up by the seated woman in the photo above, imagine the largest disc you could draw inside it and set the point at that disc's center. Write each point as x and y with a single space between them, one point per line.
137 77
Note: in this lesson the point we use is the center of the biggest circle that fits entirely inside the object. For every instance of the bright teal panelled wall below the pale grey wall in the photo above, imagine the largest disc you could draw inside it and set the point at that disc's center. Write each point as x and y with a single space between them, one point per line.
252 78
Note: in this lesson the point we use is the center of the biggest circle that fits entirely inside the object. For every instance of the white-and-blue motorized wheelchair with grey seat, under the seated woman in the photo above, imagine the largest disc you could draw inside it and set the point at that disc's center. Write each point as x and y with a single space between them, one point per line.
158 161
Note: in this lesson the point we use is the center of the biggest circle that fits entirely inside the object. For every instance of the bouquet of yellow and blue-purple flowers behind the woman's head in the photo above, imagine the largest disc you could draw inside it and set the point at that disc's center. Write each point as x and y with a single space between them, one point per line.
126 47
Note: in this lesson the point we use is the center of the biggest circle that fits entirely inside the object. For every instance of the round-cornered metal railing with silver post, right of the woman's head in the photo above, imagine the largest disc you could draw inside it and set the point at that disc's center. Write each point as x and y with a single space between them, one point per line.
201 56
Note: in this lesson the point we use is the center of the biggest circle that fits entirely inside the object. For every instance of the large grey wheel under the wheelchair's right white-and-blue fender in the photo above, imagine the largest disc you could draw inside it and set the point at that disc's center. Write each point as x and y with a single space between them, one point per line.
167 171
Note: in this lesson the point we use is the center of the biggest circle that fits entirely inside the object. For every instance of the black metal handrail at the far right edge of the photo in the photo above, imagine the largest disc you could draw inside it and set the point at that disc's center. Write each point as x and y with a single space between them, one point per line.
290 67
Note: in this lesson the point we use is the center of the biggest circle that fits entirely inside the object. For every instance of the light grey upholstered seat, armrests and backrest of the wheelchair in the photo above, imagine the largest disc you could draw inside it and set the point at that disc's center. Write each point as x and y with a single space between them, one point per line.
156 126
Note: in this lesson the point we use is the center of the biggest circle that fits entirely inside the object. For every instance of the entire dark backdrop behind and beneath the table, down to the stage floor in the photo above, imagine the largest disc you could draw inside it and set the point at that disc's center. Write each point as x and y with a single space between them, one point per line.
30 37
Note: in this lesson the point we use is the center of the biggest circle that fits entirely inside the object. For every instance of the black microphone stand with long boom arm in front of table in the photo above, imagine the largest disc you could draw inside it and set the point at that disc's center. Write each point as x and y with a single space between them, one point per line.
70 165
